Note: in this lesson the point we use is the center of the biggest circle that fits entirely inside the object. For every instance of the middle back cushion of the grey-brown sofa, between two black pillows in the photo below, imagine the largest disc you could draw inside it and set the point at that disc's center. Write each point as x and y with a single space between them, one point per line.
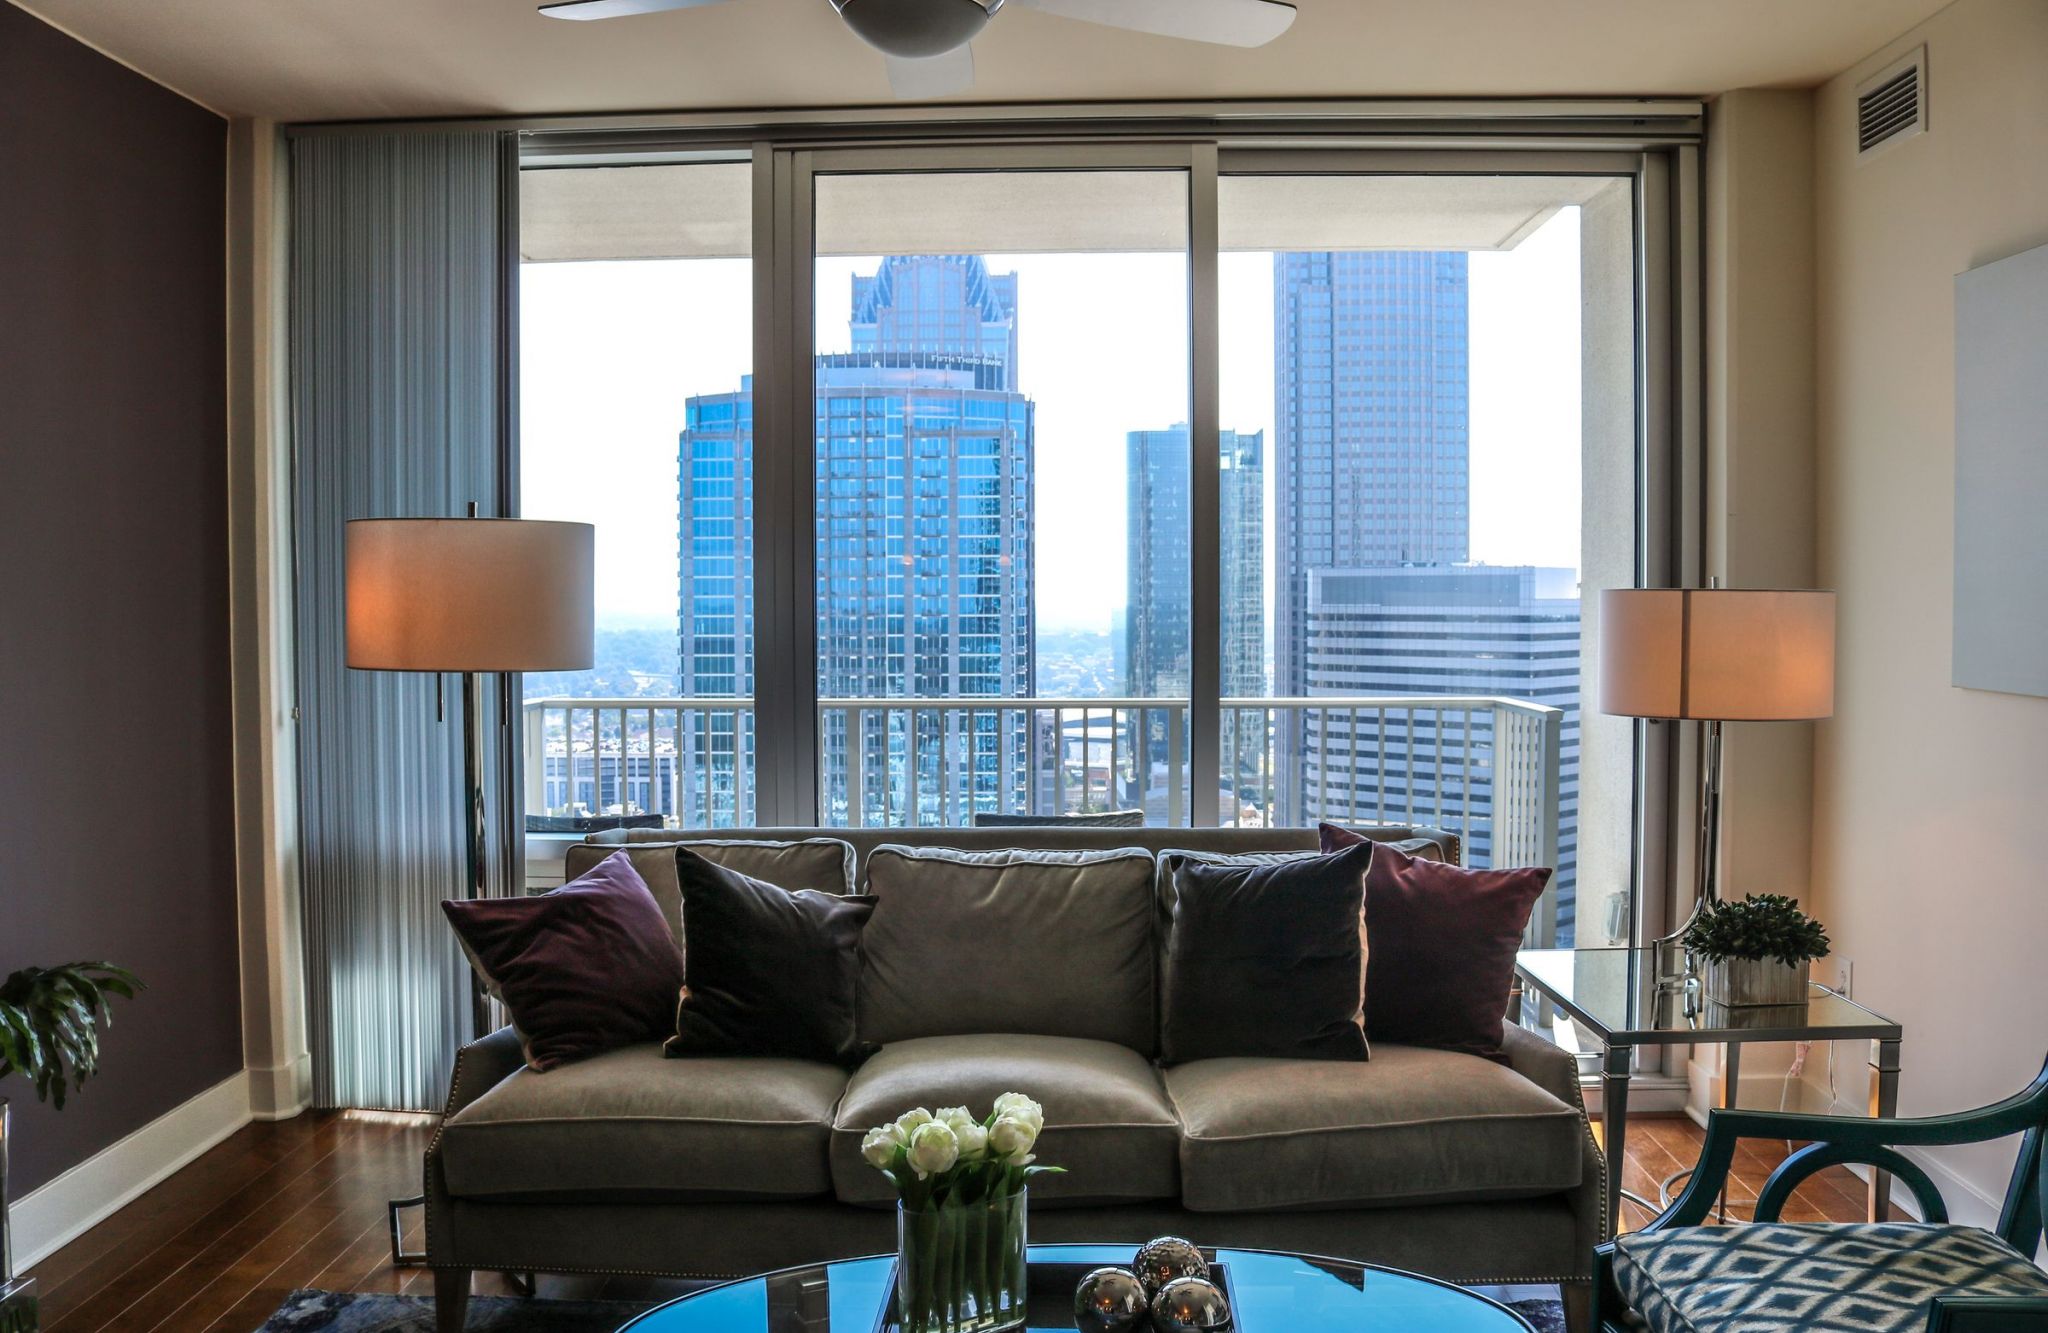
1035 943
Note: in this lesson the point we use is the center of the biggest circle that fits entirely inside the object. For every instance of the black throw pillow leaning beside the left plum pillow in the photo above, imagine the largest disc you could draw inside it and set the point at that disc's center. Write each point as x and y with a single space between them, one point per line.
771 972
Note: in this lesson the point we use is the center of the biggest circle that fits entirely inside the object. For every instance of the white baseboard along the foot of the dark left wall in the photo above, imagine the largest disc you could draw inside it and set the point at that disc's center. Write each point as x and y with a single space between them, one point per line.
56 1213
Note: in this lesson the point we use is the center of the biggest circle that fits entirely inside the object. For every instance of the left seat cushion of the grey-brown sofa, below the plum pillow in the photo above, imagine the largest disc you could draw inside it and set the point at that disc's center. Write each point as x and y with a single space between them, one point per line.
634 1125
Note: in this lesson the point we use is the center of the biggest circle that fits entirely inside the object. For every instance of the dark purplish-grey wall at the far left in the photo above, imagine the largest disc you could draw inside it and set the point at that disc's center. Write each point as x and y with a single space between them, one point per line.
116 765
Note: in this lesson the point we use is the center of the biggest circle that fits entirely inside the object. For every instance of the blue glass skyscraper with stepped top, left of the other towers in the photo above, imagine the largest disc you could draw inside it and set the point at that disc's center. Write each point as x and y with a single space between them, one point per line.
925 542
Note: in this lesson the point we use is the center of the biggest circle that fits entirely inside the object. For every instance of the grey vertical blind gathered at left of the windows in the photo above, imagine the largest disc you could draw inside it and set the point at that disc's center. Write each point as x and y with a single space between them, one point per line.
398 406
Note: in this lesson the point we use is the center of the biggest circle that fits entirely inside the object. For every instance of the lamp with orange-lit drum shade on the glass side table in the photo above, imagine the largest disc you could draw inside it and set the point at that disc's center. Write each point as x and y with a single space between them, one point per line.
1715 656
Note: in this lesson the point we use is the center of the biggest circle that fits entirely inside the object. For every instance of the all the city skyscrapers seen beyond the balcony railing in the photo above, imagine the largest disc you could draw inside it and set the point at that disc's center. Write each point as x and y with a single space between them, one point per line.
931 535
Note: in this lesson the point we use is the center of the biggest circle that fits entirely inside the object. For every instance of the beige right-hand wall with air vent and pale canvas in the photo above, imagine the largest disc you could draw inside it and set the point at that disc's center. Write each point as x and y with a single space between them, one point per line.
1930 802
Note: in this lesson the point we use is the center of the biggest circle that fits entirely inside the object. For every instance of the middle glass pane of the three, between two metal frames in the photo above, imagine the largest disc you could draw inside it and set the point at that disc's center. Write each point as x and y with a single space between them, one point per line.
1002 454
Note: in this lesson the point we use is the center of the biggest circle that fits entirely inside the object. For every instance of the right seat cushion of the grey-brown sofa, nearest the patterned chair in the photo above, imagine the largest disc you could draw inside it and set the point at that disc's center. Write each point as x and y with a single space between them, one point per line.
1406 1127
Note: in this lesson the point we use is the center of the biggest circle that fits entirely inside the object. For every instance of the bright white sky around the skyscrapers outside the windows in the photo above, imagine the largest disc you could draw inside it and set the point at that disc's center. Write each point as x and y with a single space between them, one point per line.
613 351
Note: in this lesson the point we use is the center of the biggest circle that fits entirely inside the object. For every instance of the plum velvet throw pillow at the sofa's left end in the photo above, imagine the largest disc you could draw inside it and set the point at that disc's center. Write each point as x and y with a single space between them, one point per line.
585 970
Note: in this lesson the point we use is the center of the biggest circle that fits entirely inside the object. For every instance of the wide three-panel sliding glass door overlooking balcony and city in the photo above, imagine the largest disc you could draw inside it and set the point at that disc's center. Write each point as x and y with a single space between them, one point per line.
1193 480
